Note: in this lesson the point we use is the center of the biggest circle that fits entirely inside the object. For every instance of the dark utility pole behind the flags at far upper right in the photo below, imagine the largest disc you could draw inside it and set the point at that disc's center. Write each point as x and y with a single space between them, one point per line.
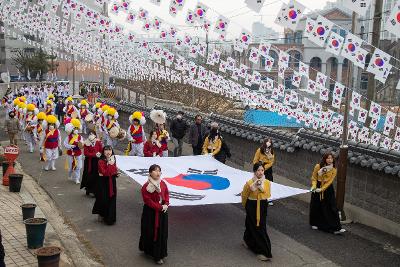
376 34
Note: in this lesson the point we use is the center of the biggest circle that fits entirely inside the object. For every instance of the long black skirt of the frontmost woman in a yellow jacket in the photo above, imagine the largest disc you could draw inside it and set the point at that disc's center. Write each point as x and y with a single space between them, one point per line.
256 237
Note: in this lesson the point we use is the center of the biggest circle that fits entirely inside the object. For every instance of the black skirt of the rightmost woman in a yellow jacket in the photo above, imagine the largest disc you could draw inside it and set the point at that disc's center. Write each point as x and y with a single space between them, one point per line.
323 212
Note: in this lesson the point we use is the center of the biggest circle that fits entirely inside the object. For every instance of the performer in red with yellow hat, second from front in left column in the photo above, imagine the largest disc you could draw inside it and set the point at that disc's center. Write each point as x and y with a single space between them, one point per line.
50 143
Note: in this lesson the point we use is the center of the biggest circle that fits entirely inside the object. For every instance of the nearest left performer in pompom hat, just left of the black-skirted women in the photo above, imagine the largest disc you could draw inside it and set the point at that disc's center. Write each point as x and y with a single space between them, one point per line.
74 144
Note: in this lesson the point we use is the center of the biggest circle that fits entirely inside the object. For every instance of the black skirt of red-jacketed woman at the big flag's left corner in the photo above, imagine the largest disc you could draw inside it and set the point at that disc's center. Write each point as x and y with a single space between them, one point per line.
105 205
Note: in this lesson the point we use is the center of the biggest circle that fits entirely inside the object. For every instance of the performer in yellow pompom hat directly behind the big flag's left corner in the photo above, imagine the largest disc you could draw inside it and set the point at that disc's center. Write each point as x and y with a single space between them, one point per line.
136 135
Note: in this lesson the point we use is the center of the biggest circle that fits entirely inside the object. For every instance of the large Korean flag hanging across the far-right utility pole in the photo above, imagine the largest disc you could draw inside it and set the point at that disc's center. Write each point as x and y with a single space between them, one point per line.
379 65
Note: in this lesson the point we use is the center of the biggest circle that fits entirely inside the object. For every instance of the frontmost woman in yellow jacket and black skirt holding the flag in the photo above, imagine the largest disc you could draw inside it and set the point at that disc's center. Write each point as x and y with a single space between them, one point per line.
255 196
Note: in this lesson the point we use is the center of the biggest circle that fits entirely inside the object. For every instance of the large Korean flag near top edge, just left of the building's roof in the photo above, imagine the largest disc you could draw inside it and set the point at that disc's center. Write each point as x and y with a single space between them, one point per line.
290 15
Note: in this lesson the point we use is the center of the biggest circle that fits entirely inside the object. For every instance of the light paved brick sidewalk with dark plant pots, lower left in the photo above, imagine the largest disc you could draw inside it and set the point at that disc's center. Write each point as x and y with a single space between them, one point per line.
58 233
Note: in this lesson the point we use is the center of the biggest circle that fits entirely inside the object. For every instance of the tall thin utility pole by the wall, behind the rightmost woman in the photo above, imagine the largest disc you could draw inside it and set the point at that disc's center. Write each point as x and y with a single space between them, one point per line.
344 147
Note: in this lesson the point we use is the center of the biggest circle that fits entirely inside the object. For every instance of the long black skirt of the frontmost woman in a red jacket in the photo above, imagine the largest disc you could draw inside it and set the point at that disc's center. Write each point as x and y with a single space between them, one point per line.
155 248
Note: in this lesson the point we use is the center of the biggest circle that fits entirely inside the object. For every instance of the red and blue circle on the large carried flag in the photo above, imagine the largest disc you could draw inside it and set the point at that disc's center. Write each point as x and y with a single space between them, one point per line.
199 181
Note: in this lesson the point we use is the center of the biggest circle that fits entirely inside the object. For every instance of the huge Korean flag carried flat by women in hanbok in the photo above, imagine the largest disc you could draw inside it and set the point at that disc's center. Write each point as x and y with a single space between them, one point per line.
198 180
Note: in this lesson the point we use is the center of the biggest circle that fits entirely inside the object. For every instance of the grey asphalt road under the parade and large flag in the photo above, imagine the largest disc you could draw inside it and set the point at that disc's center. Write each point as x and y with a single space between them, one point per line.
211 235
